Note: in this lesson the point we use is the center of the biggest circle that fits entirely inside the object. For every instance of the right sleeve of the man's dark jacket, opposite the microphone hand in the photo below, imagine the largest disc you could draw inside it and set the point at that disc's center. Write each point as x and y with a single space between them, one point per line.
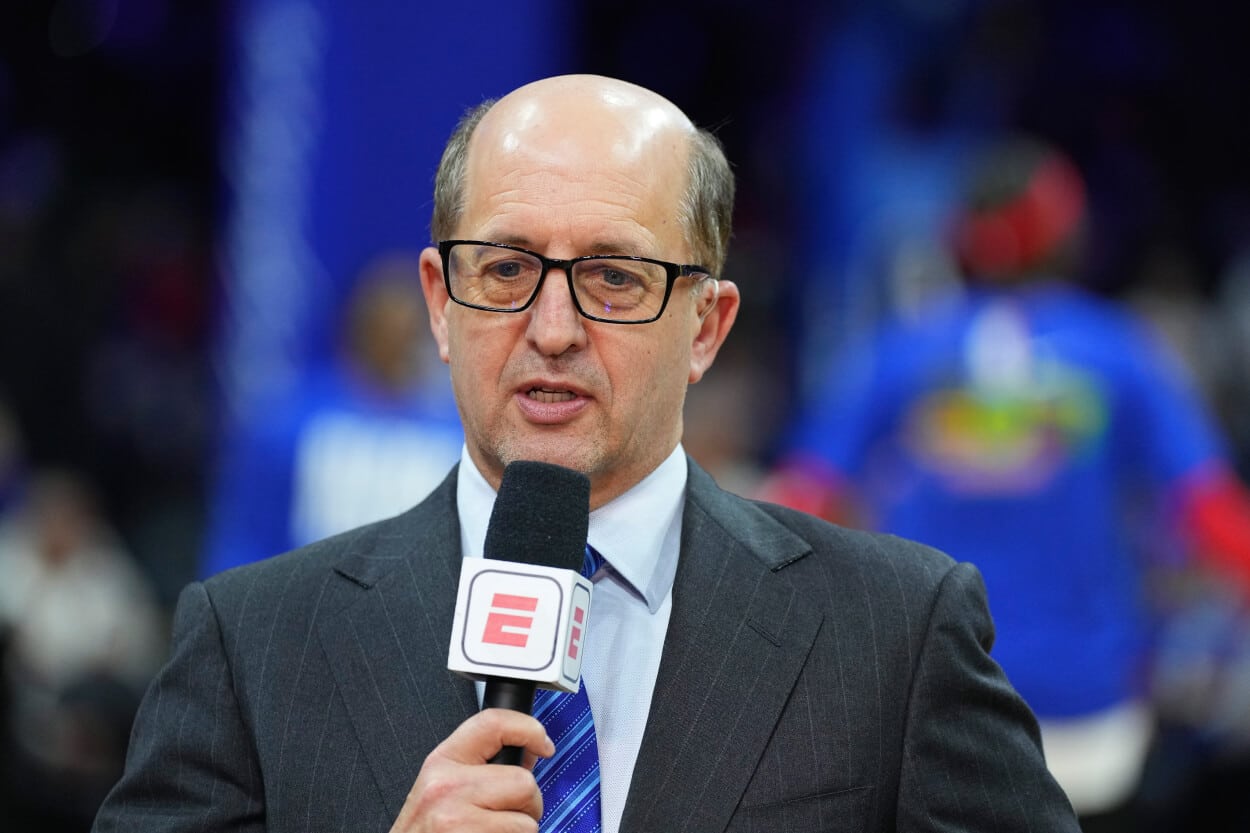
972 757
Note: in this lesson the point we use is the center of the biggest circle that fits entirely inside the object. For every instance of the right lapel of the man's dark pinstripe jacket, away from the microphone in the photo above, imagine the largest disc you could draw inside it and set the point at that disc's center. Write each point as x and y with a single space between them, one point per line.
738 639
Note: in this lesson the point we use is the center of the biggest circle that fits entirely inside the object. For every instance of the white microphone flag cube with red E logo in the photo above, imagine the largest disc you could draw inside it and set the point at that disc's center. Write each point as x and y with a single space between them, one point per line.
521 622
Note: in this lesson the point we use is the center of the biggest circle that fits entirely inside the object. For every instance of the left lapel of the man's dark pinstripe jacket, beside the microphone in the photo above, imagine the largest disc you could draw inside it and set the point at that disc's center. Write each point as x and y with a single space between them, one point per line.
388 646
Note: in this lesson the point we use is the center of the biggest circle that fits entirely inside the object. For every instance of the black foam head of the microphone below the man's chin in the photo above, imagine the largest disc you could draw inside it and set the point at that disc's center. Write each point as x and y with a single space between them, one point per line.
541 516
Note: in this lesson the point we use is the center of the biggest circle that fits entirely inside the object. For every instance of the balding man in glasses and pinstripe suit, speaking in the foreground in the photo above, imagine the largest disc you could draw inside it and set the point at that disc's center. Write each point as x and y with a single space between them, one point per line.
782 675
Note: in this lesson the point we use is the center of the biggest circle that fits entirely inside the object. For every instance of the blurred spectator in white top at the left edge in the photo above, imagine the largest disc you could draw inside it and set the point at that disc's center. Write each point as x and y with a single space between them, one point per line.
83 637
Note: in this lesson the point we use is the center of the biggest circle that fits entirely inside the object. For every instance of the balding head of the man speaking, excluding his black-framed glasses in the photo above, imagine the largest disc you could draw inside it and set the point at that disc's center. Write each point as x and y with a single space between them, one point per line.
566 168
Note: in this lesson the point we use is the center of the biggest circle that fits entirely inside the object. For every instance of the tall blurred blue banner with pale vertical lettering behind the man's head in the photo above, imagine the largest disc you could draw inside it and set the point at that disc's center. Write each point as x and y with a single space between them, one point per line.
336 118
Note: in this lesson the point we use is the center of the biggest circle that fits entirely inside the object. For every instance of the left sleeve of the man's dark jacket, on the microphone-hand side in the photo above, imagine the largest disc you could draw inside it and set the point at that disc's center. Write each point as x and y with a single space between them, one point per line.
192 765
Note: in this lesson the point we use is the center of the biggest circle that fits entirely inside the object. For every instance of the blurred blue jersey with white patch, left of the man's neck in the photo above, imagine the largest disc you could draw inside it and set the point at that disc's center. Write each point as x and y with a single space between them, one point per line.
336 455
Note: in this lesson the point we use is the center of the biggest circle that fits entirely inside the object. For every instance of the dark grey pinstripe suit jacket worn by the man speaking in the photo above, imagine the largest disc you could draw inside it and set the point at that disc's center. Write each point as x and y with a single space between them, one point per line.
814 679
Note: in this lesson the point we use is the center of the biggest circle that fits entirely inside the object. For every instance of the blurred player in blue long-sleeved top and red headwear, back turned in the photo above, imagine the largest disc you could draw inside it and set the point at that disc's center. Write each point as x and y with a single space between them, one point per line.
1049 438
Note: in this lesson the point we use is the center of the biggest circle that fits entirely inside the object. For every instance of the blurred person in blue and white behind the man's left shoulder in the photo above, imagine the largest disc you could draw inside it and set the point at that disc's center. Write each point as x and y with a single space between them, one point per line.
362 441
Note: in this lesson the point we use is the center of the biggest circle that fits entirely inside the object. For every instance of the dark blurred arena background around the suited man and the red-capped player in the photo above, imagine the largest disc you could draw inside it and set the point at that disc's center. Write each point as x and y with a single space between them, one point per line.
211 347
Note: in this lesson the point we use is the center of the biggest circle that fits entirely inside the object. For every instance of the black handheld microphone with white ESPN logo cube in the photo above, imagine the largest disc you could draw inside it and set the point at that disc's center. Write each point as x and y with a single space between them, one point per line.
522 611
